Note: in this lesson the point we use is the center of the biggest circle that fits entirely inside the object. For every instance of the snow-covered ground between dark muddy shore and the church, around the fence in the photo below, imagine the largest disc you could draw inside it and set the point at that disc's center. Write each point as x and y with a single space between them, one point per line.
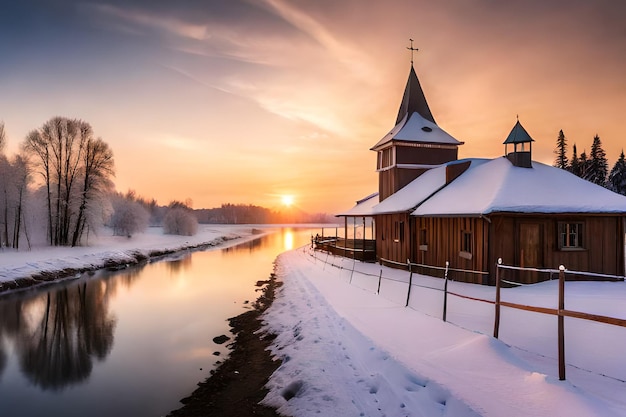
348 351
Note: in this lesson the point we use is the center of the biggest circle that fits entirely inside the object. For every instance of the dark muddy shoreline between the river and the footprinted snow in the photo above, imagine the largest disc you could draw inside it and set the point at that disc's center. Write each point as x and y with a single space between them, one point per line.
237 386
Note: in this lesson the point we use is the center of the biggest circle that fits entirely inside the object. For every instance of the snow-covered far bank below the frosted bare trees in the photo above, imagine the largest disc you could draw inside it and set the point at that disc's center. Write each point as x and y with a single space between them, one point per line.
108 248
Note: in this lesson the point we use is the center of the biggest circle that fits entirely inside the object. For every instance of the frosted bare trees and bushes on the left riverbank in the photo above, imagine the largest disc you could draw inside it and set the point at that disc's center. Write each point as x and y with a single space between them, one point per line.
59 188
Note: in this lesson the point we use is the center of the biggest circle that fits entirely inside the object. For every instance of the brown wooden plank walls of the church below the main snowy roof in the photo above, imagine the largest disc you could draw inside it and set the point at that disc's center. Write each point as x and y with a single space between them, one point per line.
519 239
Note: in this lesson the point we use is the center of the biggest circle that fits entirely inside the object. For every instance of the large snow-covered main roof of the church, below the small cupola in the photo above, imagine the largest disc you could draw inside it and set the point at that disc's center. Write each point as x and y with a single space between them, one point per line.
498 186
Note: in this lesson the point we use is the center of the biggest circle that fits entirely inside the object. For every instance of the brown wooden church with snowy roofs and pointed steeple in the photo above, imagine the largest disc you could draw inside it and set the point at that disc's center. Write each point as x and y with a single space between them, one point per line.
432 208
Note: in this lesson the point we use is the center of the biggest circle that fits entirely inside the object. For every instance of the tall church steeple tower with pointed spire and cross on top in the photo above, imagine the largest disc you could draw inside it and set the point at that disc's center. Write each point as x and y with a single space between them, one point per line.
415 144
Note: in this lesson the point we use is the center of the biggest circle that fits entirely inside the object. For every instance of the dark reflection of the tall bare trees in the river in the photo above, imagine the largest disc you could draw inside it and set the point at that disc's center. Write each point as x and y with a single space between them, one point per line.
59 333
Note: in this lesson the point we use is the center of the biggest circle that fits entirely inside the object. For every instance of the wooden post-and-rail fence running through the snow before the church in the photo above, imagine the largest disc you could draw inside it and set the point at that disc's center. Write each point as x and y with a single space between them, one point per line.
560 312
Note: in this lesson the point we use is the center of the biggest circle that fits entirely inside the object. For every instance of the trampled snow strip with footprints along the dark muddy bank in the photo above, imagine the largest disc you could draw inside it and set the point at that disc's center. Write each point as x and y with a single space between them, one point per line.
329 366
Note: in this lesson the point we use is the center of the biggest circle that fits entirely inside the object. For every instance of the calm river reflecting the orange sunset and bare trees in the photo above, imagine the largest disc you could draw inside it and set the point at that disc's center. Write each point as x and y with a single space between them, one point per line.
131 342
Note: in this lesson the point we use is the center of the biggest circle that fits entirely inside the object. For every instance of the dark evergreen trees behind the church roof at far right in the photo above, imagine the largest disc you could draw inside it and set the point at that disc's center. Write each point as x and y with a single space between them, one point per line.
593 167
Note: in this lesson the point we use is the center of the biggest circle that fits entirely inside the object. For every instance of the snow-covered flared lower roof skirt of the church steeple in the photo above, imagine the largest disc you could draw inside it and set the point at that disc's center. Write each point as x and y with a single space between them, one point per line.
415 128
